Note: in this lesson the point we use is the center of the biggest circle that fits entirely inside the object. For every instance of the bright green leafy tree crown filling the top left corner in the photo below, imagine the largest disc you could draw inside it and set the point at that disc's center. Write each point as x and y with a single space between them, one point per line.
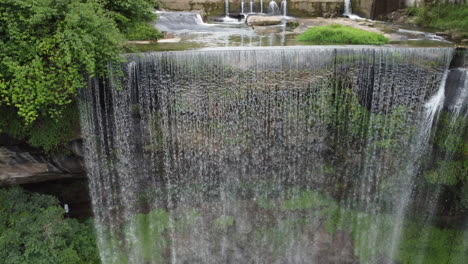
46 47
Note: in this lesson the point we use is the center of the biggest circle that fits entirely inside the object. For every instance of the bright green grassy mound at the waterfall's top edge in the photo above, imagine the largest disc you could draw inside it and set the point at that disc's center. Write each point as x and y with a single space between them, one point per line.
339 34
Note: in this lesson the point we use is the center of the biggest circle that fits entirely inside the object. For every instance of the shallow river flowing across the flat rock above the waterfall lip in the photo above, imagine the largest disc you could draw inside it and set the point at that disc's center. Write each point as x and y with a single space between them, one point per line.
187 30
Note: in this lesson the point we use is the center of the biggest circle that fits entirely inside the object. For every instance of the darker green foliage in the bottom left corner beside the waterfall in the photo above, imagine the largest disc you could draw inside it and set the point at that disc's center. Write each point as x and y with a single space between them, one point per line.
33 230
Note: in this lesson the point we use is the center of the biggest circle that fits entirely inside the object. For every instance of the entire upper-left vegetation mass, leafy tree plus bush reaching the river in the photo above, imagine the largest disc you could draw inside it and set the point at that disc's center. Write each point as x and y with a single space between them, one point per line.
47 50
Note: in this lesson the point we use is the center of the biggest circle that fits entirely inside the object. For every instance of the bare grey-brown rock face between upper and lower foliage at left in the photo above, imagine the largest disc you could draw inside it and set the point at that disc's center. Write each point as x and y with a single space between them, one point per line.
20 163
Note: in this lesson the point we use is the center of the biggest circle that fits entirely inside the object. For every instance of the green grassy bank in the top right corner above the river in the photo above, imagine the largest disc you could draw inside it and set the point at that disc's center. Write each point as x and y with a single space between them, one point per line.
443 16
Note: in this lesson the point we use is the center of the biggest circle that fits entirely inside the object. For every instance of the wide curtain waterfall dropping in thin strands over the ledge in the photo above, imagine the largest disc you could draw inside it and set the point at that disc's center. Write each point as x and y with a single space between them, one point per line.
252 155
